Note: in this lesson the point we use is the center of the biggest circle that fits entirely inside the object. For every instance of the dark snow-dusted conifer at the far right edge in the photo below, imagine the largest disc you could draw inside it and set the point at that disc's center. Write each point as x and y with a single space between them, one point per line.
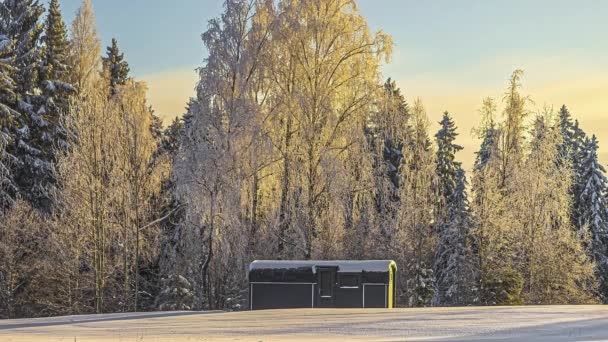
594 210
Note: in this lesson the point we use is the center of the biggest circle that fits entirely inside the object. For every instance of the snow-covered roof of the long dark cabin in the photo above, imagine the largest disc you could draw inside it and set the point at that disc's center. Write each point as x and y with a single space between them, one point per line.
353 266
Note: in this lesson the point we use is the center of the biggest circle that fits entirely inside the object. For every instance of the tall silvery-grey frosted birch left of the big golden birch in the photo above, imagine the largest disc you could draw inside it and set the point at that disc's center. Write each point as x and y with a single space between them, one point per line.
208 169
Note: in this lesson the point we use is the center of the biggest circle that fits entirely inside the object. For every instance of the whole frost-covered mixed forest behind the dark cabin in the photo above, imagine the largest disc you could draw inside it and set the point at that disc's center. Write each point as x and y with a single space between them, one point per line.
294 147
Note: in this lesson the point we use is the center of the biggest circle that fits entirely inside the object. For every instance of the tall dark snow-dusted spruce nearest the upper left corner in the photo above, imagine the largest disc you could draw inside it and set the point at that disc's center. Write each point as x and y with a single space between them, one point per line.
20 21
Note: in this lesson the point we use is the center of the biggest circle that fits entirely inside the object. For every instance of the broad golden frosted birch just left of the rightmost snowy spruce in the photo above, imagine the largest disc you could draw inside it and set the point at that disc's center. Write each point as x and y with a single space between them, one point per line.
549 254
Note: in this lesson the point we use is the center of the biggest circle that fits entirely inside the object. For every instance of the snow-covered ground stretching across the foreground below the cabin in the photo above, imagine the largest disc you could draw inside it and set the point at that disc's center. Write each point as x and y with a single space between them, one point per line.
531 323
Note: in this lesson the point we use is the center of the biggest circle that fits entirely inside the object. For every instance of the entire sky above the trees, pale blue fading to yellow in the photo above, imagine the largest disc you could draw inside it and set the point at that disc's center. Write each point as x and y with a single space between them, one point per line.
450 53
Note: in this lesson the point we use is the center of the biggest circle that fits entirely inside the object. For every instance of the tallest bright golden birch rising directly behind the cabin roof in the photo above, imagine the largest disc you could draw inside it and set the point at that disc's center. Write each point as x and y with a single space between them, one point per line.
336 61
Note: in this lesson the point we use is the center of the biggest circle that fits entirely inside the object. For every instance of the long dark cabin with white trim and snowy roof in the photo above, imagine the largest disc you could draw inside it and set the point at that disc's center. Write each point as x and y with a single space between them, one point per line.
280 284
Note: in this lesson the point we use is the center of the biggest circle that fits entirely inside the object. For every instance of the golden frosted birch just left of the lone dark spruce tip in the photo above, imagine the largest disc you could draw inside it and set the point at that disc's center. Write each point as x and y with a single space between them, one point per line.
89 174
